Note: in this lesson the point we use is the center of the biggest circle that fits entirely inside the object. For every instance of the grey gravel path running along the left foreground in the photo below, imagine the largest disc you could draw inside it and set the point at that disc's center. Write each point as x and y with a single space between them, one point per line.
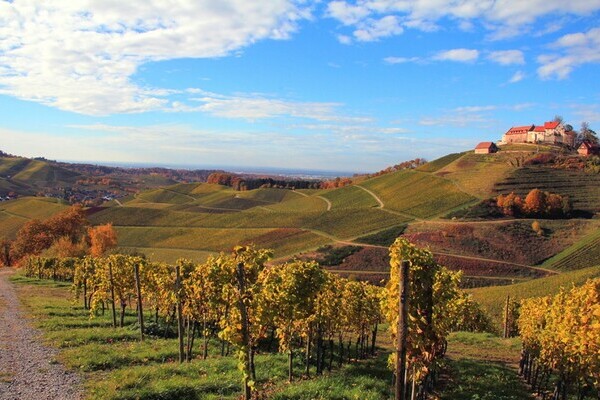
28 370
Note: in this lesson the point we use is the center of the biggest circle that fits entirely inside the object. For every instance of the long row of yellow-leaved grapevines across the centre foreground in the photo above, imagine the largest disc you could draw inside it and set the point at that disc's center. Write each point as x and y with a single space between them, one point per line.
236 304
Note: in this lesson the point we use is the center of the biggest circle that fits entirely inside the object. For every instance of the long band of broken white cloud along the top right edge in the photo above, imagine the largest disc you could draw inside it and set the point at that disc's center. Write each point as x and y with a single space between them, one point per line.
502 18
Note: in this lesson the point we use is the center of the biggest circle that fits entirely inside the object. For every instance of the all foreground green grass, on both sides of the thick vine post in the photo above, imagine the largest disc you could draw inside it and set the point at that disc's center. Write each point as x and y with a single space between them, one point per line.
116 365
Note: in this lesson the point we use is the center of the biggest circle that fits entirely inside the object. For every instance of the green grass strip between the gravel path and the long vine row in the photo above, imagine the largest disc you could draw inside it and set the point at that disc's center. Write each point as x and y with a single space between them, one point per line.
116 365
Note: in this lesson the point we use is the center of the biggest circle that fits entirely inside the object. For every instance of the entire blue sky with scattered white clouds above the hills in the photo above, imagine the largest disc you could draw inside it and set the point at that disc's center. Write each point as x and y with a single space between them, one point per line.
340 85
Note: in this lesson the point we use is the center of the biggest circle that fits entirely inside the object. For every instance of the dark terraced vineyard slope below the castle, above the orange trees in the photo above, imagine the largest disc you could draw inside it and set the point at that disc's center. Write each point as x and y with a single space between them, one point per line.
583 189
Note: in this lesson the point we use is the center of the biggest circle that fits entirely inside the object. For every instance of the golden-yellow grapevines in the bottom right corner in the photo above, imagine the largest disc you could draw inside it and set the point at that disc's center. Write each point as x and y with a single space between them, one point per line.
561 342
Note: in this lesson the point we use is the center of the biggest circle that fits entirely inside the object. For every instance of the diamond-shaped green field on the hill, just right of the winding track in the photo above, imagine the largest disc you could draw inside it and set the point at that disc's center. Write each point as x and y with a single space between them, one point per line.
417 193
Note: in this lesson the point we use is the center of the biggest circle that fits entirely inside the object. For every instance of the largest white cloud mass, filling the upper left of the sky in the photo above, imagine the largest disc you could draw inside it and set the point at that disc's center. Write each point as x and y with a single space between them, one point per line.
80 55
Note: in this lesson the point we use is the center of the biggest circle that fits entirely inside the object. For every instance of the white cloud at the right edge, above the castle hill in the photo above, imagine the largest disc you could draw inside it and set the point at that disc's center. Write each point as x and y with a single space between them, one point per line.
572 51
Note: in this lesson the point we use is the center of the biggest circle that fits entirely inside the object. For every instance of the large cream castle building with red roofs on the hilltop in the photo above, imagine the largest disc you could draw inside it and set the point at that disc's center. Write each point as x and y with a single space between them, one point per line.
552 132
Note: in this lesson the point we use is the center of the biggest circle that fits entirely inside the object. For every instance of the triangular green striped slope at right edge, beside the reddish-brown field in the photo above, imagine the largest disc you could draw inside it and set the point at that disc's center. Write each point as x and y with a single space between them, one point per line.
582 254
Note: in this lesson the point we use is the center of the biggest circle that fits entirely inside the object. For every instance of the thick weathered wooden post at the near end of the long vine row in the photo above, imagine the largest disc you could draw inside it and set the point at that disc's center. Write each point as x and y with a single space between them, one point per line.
400 392
